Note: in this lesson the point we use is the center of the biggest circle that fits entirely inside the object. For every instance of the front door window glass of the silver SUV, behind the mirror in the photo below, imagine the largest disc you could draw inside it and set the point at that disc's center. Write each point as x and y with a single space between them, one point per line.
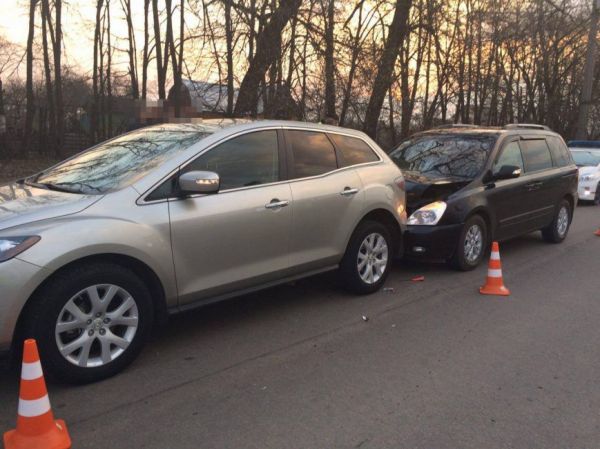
248 160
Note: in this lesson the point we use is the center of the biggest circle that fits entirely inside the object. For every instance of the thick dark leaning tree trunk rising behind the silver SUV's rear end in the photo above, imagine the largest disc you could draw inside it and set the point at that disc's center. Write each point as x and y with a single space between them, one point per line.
396 35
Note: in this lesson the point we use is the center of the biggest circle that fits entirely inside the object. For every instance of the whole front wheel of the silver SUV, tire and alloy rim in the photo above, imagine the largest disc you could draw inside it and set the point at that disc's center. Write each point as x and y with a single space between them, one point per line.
130 326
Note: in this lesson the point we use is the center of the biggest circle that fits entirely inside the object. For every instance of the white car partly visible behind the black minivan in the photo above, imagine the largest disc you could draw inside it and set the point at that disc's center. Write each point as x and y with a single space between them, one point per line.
587 157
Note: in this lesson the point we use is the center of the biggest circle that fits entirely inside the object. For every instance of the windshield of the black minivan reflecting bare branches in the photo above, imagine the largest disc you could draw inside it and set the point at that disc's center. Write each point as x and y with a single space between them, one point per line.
444 156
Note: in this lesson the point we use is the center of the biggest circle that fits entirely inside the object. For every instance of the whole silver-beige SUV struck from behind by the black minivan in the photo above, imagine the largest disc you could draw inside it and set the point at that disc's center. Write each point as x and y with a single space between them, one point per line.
100 247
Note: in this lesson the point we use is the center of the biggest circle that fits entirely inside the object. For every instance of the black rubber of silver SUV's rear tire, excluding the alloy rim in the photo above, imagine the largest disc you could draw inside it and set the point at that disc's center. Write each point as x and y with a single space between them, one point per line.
349 276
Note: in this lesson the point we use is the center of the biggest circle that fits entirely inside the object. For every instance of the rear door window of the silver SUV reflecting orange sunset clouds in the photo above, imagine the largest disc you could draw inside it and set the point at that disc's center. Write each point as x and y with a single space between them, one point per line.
313 153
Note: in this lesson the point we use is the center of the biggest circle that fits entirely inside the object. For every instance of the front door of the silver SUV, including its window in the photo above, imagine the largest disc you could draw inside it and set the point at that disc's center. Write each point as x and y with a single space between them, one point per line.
239 237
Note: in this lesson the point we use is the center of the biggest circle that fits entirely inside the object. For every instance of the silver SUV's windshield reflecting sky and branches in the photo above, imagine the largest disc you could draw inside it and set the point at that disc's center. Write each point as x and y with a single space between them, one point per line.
117 163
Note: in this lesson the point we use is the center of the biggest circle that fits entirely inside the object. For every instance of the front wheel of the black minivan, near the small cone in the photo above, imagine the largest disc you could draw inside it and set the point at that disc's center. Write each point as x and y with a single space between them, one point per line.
468 255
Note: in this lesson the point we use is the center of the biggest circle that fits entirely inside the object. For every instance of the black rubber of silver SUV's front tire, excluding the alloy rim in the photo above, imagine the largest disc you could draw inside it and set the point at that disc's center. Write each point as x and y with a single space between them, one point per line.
48 303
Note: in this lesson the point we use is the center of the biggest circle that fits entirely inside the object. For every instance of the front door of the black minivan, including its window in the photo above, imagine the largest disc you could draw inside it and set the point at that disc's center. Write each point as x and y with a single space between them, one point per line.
507 197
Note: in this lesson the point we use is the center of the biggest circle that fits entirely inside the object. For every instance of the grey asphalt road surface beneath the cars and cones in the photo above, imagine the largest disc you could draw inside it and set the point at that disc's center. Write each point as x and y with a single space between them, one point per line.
435 366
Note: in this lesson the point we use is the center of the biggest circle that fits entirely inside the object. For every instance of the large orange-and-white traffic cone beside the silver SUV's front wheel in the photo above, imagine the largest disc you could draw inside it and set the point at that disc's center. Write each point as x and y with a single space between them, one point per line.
36 427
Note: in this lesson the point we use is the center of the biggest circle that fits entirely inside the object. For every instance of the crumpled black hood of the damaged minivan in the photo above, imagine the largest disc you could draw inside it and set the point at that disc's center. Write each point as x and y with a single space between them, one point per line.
421 190
